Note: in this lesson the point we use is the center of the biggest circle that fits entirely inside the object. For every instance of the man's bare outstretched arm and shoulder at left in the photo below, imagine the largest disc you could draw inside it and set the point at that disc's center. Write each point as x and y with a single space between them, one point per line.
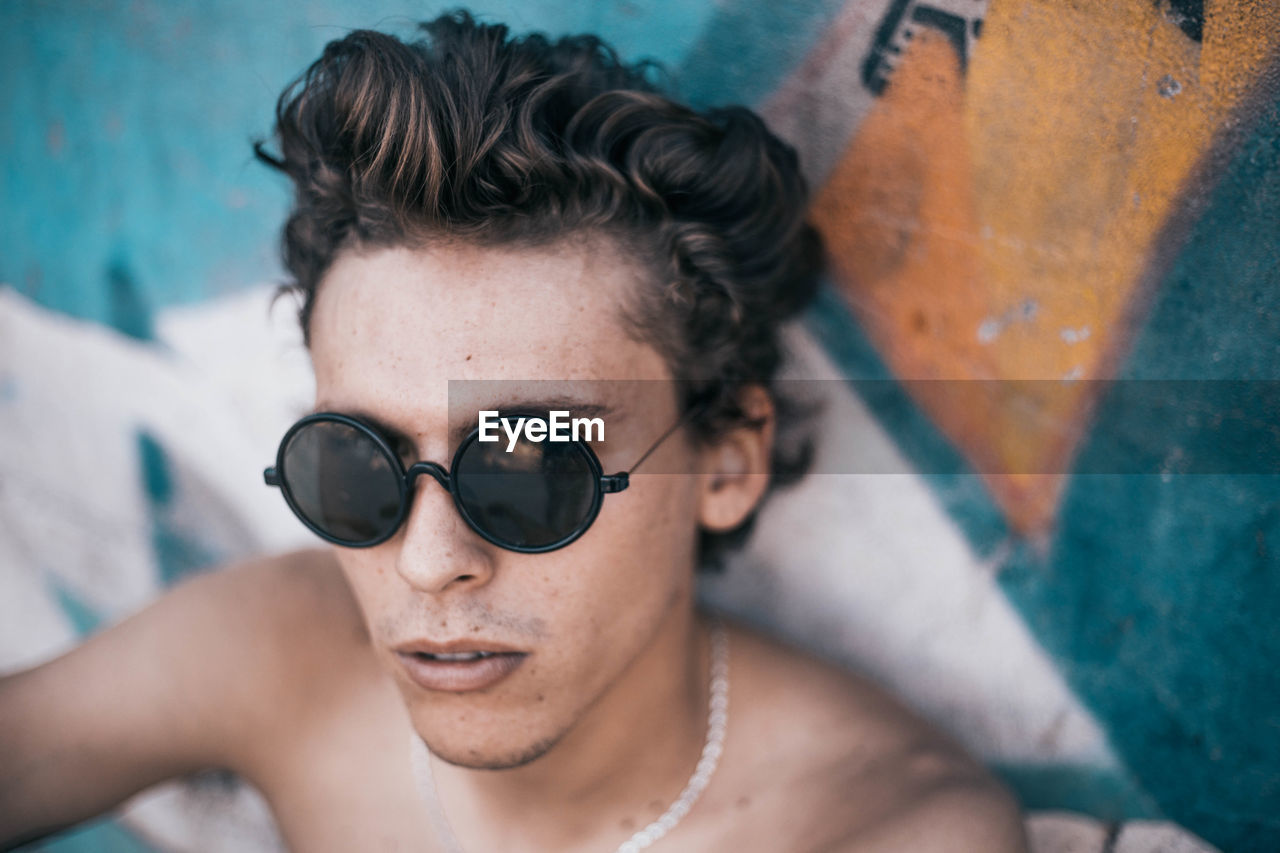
191 682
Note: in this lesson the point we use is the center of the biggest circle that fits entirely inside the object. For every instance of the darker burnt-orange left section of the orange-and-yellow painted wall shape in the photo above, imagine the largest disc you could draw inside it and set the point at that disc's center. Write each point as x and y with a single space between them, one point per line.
898 216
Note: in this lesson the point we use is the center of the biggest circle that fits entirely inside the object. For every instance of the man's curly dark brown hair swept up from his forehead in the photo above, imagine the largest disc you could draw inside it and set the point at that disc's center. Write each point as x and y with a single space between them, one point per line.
470 134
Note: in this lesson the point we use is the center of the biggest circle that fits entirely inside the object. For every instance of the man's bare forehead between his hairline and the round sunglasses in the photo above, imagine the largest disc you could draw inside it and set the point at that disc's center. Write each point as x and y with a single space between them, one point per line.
437 335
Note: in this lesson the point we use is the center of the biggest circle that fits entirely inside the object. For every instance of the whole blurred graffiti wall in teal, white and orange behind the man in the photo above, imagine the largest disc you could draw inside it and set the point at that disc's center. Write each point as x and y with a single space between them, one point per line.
1036 213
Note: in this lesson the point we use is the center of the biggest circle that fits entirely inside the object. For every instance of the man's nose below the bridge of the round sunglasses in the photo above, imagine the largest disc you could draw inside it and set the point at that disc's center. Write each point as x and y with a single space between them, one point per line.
437 549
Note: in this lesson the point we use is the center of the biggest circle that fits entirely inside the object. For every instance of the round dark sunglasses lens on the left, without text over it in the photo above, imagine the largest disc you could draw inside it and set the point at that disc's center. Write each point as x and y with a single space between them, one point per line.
342 481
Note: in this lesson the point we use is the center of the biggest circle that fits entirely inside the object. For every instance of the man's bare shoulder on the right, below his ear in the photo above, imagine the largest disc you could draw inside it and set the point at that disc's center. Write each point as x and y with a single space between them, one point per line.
860 770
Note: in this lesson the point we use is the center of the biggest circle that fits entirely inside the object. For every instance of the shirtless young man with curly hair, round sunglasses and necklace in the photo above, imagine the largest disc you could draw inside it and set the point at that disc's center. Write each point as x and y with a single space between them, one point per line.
479 208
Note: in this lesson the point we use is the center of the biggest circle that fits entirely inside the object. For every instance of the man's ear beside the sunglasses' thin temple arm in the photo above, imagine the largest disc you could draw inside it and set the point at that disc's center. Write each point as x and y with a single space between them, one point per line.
735 467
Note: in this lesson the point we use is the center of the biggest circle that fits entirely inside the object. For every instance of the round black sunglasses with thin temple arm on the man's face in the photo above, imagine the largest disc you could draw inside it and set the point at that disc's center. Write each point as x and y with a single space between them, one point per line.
344 480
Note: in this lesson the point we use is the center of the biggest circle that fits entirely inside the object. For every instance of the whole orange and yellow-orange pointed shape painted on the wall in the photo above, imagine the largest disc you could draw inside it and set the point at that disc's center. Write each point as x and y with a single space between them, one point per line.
998 227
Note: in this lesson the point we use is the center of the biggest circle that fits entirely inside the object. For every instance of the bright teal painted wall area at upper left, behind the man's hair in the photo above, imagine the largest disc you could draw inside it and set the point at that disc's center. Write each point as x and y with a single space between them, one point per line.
127 180
